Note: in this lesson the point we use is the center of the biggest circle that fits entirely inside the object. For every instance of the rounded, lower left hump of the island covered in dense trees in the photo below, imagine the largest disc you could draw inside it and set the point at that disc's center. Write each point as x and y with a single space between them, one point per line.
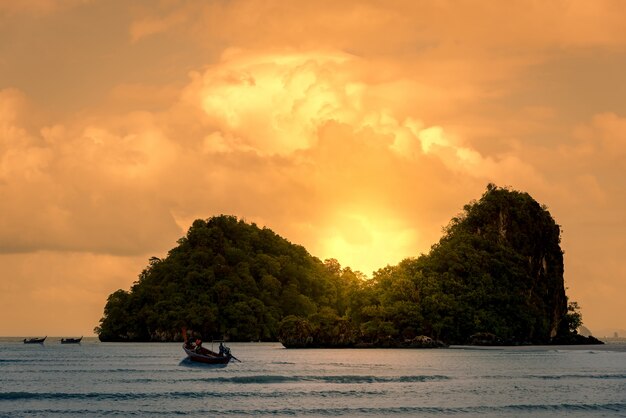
225 279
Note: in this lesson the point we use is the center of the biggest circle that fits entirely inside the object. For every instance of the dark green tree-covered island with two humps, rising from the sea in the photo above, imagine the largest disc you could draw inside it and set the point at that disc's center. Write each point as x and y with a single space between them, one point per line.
495 277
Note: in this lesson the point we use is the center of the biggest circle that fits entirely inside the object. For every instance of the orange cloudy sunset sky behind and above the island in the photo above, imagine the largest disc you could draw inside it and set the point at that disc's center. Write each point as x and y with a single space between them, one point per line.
357 129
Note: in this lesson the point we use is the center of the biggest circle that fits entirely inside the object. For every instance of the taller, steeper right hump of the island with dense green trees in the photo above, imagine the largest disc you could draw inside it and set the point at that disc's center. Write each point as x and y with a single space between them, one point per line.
498 269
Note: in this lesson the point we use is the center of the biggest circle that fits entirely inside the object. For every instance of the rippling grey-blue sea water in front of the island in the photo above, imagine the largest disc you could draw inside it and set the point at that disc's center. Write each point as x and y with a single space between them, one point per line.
97 379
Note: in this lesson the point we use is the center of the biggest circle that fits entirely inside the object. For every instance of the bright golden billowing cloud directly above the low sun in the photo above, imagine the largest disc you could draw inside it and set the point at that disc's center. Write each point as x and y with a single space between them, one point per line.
317 142
